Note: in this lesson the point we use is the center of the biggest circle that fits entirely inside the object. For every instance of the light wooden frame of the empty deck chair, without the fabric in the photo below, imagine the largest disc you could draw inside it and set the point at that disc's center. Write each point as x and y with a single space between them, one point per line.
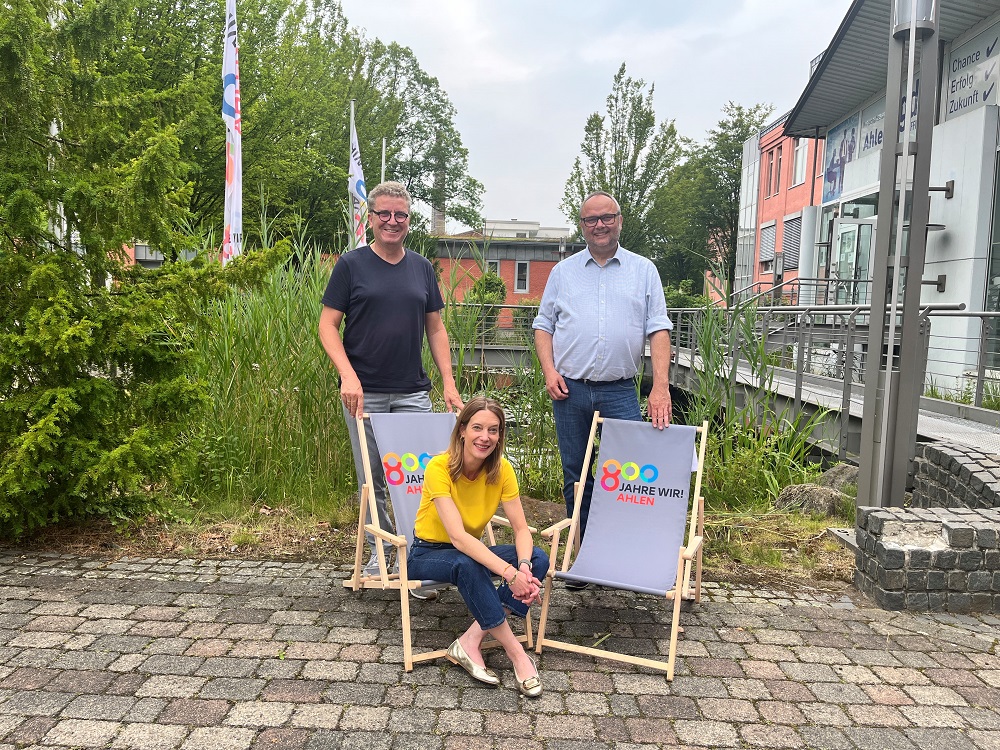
689 563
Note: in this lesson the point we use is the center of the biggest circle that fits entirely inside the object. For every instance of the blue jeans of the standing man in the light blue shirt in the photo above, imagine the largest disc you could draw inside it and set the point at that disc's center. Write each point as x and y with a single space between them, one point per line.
574 415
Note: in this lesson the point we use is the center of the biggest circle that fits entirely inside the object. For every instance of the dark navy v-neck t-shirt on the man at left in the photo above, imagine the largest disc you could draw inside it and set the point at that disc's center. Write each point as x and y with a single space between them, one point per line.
384 307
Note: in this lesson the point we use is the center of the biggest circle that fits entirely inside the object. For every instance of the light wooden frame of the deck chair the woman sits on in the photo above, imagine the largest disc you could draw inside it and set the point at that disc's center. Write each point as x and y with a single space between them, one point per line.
388 580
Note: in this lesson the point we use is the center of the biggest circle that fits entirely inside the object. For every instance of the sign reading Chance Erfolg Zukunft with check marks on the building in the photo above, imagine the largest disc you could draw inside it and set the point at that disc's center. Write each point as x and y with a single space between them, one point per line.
973 72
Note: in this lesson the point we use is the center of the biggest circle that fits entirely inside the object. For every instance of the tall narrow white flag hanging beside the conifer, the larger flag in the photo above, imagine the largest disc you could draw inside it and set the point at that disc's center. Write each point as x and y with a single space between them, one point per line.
232 236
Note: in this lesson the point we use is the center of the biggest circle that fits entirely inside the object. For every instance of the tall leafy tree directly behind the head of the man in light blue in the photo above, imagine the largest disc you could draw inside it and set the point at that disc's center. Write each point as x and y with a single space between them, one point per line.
626 154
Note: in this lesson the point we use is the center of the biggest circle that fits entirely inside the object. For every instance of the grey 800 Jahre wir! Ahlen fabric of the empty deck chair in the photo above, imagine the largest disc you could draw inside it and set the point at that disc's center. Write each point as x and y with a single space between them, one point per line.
639 511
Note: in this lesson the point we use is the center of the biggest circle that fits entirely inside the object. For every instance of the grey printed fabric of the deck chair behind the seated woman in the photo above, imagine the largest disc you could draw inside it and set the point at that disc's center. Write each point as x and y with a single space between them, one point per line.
406 442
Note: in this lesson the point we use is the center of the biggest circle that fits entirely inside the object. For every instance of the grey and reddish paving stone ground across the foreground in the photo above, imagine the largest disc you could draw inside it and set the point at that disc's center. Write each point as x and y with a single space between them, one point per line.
159 654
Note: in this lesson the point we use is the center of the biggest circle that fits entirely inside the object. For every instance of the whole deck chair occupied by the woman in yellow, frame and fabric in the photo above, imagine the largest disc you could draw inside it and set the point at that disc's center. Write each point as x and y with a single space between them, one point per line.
406 442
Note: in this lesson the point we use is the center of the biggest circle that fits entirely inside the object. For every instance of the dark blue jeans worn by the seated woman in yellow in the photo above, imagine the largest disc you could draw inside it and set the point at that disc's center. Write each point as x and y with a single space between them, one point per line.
440 561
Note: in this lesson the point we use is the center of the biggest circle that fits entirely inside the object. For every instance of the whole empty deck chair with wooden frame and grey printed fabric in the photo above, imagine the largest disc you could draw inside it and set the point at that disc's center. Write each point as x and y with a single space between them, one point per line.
636 528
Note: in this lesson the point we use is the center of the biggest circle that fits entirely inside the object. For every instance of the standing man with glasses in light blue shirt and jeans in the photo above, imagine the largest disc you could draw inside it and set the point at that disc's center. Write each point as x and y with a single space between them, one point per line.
598 309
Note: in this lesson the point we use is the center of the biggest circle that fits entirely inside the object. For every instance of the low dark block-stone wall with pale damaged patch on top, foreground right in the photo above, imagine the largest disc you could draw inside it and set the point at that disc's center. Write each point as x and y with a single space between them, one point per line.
929 559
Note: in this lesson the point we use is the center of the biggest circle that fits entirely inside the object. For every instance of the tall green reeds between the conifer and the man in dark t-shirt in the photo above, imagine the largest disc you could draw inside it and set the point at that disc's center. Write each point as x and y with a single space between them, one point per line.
274 432
